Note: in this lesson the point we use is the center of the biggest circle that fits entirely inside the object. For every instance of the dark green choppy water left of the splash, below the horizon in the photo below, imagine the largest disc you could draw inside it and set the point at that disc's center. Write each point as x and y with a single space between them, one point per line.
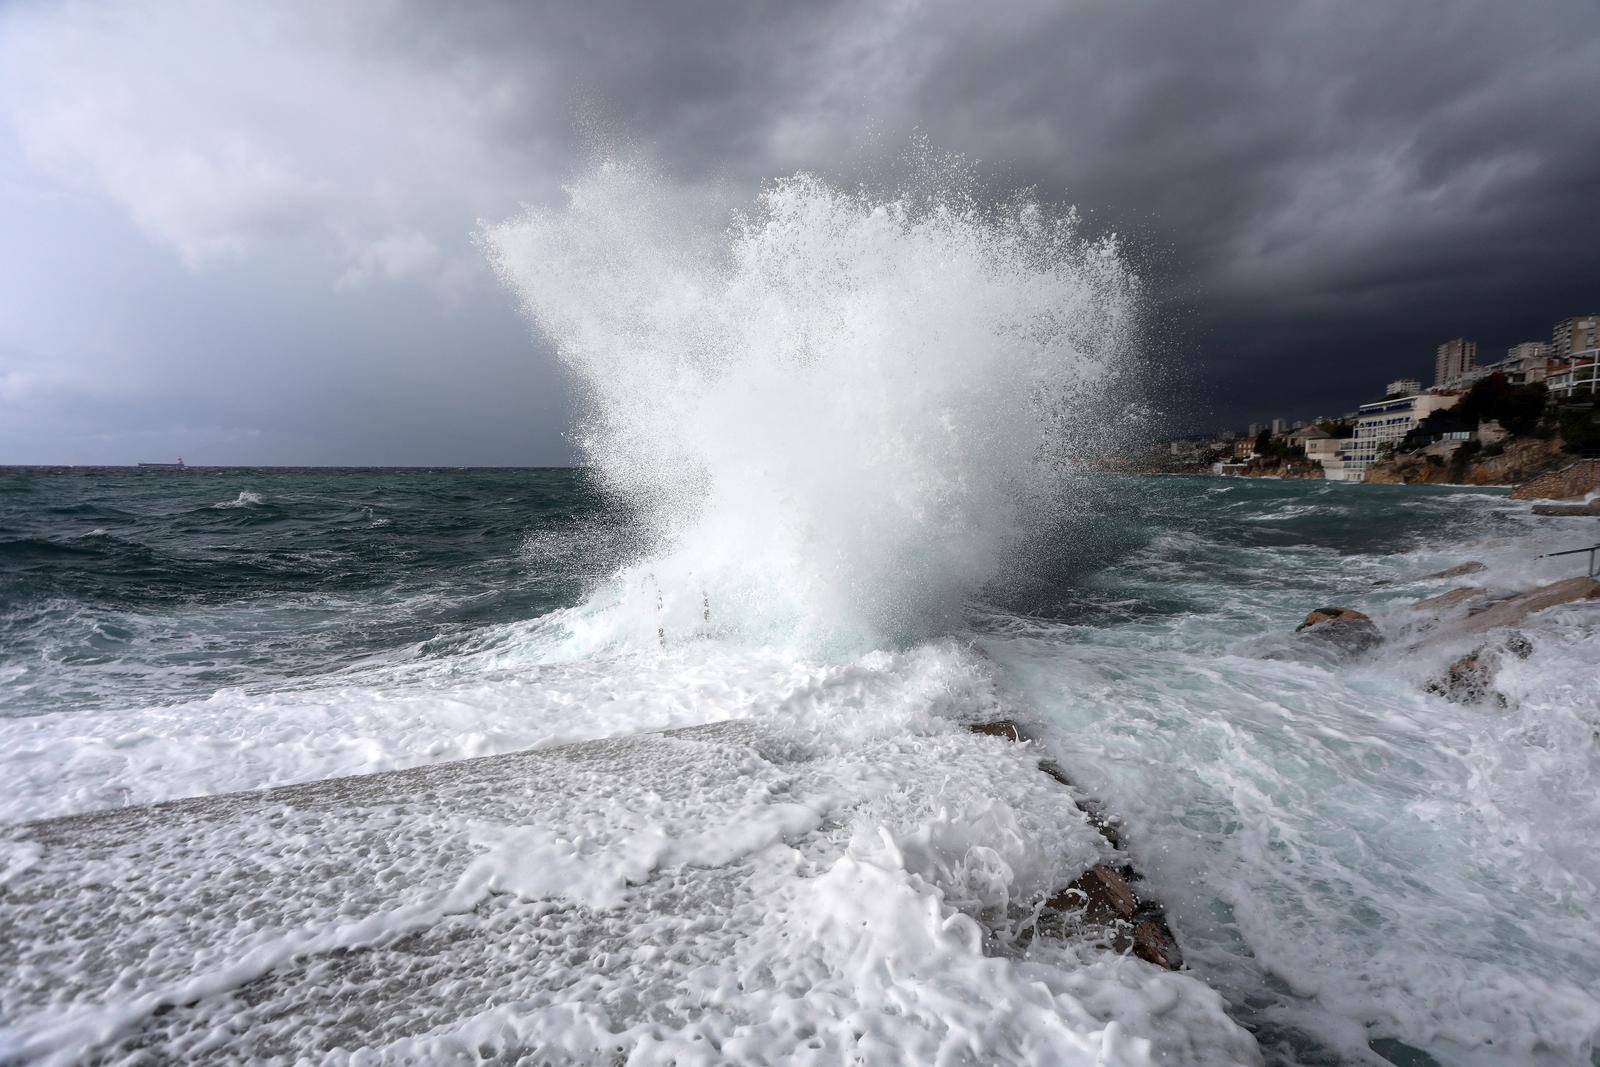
122 586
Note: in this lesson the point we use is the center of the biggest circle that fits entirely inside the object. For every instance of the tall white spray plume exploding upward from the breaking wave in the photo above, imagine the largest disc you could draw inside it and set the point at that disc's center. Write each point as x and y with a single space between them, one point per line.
841 414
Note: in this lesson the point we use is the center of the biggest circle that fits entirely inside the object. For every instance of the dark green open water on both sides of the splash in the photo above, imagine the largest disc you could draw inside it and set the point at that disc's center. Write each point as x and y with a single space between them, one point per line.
122 586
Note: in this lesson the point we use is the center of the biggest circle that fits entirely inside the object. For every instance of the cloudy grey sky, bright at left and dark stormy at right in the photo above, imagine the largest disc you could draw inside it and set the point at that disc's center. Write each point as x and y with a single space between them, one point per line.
242 233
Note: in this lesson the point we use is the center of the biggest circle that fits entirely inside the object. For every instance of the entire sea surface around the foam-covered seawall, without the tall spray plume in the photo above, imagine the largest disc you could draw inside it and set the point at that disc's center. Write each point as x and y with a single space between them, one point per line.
1366 873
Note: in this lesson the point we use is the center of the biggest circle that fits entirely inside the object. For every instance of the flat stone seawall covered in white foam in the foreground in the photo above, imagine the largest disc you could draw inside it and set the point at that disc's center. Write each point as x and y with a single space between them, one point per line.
727 893
